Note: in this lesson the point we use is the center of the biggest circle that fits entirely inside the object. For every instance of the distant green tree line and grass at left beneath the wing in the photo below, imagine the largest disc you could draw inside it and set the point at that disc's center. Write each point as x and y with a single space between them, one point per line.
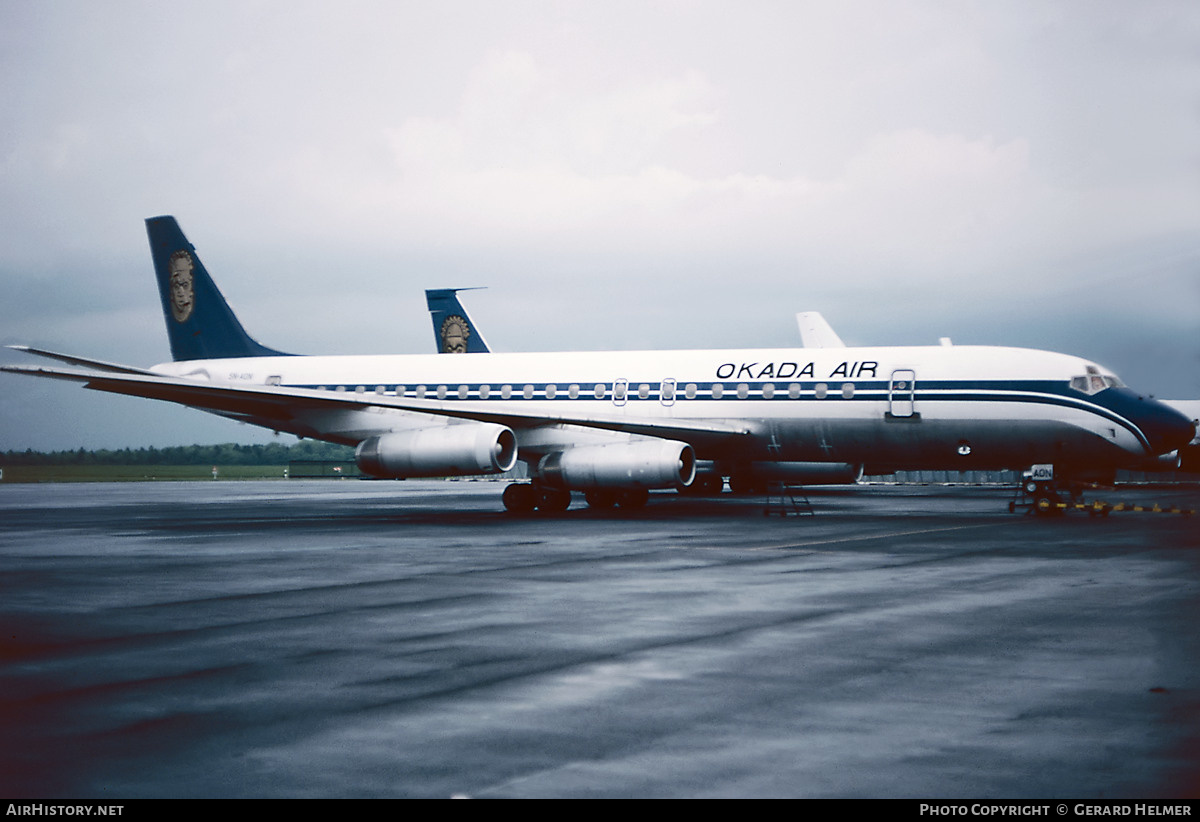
227 454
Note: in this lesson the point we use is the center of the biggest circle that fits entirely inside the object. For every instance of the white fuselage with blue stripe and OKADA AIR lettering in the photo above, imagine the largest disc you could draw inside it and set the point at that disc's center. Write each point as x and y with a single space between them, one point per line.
946 407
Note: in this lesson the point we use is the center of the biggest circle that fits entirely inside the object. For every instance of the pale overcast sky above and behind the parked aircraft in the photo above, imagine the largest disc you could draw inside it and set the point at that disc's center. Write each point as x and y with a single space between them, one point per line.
617 175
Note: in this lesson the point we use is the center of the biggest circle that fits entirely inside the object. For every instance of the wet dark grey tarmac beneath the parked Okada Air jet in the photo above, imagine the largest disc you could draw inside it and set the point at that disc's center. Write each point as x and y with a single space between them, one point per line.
347 639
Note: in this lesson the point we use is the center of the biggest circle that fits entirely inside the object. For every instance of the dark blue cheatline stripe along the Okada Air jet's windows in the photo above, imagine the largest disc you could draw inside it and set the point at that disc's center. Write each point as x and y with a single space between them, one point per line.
1045 393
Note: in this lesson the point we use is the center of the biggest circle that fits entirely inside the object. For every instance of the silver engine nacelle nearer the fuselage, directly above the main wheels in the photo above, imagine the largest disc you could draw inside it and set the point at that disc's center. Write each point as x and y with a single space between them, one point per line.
653 464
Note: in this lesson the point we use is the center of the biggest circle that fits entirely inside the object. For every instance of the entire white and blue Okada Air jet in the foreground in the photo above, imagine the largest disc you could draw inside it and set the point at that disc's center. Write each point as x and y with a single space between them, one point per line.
615 425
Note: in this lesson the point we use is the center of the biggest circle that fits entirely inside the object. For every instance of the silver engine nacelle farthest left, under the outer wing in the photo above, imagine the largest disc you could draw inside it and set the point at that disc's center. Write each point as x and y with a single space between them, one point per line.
449 451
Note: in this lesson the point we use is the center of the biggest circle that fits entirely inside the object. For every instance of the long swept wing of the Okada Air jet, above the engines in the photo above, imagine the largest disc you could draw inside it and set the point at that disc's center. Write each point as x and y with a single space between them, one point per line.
285 407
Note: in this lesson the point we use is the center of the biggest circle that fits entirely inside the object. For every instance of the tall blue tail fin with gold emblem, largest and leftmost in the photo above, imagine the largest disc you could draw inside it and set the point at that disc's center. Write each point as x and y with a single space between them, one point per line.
200 323
